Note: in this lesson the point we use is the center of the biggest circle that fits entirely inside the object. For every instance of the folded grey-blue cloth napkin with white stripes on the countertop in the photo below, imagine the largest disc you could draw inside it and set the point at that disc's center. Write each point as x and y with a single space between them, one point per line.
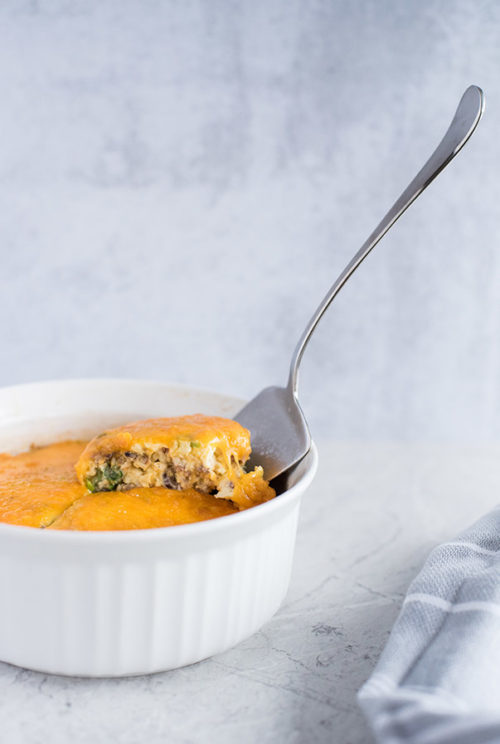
438 679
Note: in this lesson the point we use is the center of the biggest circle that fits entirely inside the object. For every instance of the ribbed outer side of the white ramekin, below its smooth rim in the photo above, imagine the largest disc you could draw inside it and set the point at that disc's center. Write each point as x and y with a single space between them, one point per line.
107 618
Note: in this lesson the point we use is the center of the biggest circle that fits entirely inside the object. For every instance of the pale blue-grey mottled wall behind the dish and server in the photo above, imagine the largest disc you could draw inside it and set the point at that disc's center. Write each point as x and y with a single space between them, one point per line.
180 182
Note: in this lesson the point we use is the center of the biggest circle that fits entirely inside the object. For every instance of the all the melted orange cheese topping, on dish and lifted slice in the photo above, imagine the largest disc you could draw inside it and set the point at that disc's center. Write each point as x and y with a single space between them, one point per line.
40 488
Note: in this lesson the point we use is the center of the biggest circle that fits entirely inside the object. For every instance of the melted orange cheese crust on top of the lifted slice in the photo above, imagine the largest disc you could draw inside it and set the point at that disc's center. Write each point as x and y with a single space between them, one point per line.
229 437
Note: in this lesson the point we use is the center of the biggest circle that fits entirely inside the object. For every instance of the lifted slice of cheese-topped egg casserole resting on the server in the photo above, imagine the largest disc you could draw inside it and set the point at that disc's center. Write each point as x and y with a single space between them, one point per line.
205 453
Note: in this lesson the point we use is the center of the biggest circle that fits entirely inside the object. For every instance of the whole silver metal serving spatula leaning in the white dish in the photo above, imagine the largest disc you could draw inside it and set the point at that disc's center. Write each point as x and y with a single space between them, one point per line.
279 432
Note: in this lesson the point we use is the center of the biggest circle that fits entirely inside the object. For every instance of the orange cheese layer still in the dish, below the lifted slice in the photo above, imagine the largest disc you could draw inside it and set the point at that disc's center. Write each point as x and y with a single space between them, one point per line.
39 488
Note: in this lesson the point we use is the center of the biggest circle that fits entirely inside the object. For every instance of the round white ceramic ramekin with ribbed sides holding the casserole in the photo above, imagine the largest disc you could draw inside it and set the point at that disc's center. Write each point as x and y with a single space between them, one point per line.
138 601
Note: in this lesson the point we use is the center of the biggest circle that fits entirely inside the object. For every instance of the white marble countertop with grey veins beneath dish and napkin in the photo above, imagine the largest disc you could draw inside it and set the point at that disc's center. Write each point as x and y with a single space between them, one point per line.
372 515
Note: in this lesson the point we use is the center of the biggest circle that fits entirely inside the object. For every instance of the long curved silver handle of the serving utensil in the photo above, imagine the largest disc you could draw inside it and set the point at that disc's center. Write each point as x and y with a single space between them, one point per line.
466 119
